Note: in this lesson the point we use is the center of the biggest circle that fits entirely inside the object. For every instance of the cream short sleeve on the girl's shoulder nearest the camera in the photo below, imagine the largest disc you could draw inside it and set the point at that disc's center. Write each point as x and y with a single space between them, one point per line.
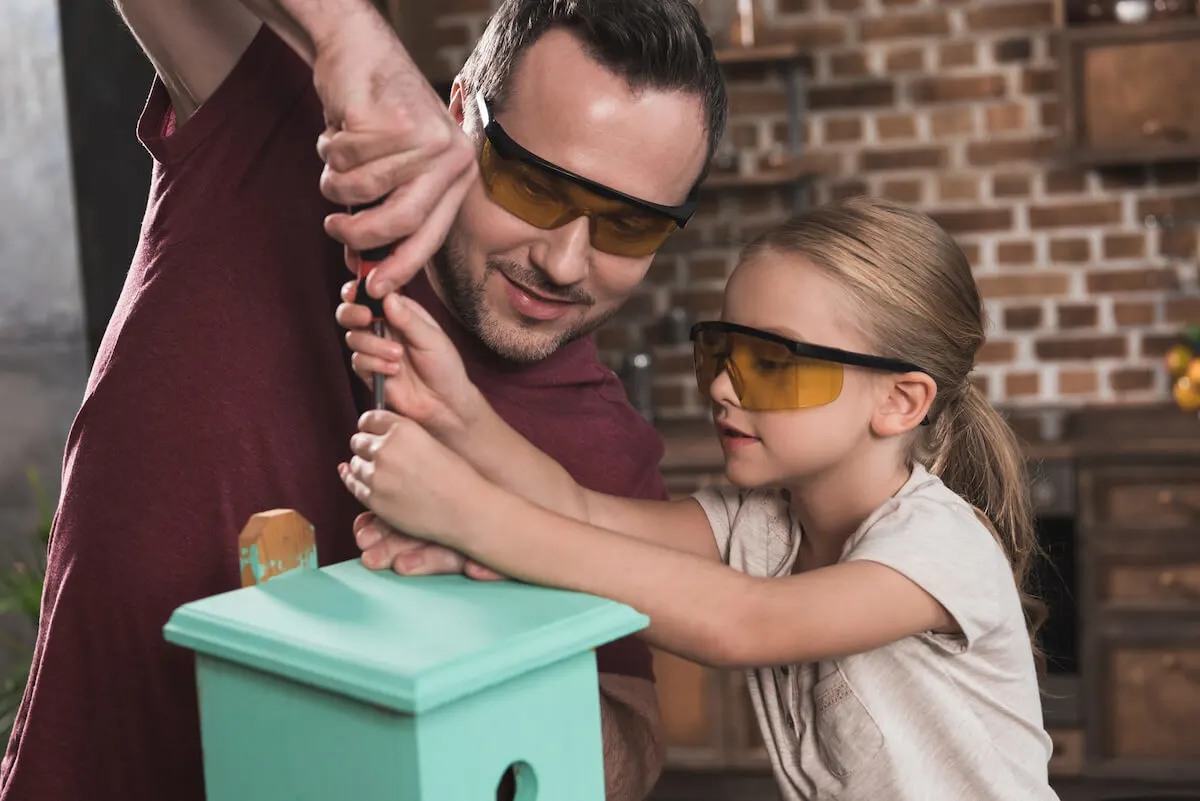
950 555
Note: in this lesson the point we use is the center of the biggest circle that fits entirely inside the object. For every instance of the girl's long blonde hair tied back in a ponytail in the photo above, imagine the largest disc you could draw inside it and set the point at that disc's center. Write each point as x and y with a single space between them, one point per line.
920 303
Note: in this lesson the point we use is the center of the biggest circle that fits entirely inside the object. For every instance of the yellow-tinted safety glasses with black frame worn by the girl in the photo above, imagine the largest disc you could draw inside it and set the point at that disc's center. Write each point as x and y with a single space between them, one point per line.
772 374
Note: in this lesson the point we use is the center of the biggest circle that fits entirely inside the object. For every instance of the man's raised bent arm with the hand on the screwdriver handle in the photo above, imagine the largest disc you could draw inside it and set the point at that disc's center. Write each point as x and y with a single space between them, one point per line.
387 128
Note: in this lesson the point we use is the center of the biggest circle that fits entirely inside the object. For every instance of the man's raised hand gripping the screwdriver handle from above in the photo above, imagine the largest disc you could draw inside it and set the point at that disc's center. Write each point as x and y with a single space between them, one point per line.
388 135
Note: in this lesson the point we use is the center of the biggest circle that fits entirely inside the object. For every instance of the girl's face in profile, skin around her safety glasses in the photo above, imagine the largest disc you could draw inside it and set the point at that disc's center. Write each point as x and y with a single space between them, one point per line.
788 296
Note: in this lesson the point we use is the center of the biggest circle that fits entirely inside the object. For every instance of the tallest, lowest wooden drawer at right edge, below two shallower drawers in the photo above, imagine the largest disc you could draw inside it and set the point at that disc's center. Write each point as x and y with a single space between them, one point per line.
1154 702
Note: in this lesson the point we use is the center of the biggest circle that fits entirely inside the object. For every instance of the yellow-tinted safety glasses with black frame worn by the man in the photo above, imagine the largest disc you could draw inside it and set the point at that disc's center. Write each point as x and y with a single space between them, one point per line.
547 196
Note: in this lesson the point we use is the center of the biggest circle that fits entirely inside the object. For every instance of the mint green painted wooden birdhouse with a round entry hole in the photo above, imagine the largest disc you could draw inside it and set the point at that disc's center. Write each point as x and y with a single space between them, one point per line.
343 683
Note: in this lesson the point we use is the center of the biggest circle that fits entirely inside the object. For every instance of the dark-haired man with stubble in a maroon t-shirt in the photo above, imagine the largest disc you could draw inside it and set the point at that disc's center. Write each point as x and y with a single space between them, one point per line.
221 388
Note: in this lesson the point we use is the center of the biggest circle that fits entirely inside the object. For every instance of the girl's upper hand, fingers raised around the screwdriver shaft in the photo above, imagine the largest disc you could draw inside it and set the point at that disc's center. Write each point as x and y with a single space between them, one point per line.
427 380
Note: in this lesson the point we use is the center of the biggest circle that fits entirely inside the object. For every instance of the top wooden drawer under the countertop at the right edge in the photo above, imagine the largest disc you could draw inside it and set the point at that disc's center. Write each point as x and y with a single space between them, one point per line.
1142 499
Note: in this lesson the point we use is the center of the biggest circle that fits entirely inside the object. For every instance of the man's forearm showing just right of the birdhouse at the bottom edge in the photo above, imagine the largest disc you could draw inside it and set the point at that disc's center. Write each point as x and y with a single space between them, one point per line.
634 740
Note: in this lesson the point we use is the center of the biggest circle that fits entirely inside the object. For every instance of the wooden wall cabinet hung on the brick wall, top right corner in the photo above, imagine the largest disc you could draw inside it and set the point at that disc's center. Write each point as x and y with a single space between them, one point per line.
1130 92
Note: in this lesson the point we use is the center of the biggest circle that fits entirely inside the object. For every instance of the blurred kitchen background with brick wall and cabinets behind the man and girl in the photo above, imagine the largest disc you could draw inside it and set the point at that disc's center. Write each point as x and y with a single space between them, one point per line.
1058 141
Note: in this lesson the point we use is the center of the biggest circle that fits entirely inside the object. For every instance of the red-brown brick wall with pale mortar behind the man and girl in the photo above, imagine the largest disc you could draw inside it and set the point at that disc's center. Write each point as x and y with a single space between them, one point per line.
951 107
